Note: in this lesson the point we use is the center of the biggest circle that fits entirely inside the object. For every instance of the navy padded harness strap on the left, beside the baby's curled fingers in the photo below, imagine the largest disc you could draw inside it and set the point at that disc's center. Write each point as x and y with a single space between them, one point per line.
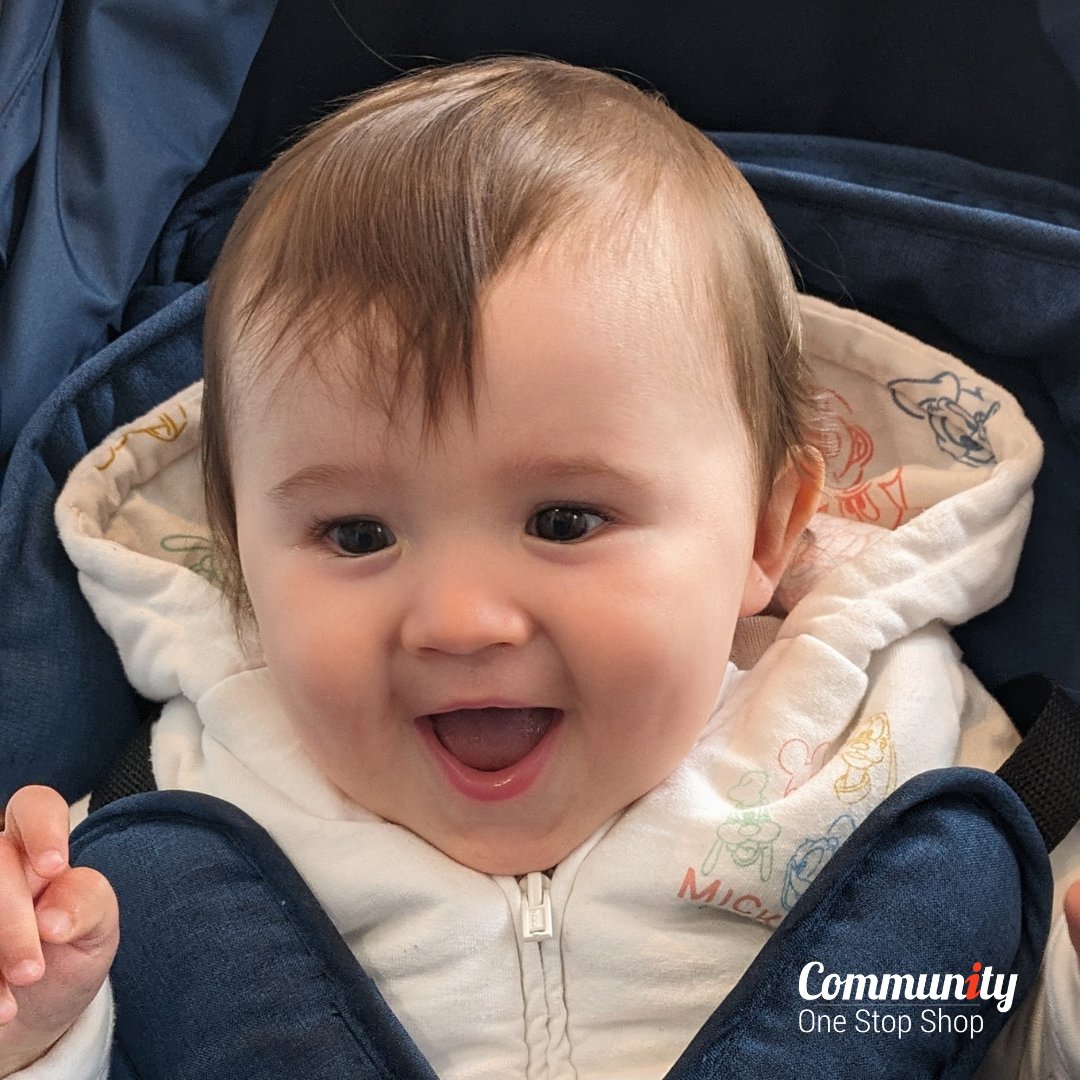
227 965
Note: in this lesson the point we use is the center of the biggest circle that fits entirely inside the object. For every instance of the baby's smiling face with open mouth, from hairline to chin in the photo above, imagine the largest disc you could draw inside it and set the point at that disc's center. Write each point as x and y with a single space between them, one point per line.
503 637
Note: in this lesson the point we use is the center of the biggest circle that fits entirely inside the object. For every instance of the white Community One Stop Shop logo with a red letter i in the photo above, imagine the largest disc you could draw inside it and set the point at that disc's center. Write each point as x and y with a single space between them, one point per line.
898 1005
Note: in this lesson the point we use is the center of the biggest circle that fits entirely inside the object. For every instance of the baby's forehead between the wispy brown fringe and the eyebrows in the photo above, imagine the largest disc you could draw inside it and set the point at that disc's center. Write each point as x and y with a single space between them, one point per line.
546 408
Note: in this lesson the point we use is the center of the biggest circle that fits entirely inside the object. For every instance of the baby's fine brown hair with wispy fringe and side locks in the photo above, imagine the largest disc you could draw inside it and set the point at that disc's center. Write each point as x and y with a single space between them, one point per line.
388 219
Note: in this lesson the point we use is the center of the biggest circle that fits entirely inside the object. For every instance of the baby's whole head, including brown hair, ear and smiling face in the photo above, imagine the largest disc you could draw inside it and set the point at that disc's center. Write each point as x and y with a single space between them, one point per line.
506 424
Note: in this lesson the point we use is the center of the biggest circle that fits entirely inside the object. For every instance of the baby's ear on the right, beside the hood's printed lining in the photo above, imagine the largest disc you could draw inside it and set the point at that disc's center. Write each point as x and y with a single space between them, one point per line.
785 518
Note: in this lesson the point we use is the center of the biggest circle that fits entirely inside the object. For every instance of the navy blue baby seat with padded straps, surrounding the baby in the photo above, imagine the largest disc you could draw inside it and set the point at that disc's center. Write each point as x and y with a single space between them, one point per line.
976 259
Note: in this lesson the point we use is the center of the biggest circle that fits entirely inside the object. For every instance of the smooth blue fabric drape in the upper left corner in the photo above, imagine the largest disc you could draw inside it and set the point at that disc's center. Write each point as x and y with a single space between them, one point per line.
109 110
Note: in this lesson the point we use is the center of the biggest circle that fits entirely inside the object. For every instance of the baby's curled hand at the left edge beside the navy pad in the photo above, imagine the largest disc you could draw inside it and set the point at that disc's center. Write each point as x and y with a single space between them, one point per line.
60 927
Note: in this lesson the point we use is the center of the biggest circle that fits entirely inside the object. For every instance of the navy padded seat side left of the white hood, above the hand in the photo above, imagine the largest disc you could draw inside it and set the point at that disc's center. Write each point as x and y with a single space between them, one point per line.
66 708
